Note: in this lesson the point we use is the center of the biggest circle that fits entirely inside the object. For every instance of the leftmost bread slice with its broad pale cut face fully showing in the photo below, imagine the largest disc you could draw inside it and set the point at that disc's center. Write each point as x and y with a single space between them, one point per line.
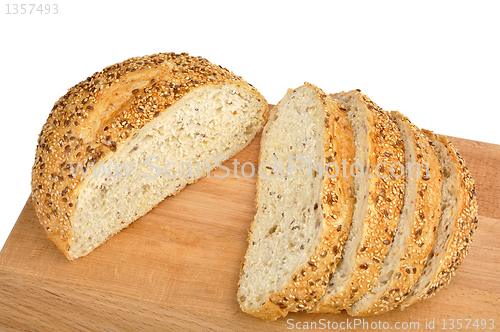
303 214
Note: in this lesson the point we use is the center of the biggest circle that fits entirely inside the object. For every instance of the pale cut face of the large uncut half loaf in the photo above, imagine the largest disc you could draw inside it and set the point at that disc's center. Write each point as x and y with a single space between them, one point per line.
175 149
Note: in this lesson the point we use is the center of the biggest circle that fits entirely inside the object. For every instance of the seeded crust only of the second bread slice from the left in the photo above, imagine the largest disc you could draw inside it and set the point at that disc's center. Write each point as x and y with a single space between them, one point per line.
384 205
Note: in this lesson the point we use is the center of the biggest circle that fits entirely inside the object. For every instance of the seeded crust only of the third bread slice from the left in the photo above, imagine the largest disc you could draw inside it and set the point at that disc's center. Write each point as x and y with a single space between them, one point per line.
424 226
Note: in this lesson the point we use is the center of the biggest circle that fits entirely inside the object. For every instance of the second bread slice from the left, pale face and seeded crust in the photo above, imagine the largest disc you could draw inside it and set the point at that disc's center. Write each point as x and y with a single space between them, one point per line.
379 190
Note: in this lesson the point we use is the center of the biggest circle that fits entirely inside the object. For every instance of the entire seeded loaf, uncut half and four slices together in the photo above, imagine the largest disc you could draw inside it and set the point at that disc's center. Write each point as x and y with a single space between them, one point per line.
342 223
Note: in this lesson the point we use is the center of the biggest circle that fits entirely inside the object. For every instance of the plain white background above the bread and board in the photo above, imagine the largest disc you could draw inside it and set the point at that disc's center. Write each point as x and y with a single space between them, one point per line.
435 61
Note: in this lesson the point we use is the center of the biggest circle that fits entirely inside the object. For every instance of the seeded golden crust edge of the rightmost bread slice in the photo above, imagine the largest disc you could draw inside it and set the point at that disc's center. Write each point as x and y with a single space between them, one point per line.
465 224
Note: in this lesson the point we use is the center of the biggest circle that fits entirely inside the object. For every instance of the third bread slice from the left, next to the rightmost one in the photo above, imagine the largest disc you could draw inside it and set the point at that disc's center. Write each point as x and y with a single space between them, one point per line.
417 224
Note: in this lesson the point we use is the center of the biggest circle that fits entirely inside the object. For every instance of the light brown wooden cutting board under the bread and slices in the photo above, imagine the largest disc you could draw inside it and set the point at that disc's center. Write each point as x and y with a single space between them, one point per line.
177 268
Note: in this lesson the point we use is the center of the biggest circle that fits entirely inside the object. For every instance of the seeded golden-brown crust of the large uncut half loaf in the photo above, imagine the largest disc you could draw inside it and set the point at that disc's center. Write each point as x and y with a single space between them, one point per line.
96 116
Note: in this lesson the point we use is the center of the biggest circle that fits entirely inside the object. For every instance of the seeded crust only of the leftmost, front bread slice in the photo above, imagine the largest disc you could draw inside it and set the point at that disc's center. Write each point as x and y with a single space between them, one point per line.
308 284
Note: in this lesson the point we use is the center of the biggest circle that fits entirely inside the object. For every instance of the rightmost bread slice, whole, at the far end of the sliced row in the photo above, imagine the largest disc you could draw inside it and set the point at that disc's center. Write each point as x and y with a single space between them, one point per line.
457 224
